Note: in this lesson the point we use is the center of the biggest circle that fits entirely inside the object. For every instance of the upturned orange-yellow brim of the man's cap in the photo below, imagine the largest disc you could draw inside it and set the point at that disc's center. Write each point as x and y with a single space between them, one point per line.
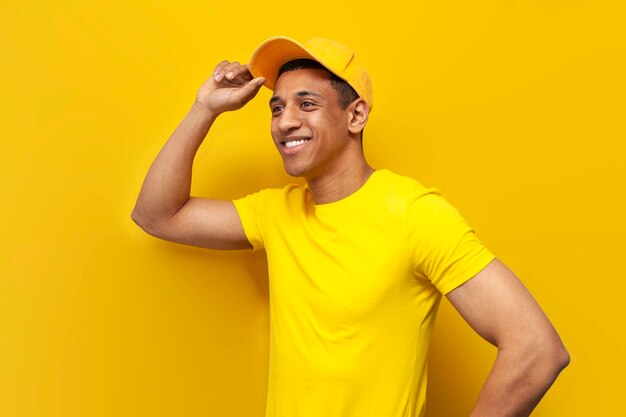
267 59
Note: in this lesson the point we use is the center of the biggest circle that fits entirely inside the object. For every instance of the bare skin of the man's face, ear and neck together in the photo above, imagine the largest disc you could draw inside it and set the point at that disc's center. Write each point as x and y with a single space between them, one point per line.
328 155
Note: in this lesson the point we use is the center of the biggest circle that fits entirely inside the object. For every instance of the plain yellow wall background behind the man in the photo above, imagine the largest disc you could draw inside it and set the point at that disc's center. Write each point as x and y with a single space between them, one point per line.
514 109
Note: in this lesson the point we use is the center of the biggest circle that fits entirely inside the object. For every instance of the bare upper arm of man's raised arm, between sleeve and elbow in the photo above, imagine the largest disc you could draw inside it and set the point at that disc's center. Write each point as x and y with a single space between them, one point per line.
206 222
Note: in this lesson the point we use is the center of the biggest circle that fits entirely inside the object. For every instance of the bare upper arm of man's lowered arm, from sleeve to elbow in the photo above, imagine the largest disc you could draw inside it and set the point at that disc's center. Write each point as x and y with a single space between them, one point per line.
498 307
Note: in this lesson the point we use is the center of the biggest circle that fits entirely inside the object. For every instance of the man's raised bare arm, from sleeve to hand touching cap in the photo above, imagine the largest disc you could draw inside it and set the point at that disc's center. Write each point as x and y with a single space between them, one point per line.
164 207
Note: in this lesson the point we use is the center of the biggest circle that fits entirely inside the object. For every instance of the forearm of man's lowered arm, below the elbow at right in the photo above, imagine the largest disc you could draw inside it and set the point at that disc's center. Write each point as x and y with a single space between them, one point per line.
518 381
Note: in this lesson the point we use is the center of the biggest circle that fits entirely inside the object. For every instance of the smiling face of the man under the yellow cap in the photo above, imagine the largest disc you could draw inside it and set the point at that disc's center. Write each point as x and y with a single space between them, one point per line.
309 127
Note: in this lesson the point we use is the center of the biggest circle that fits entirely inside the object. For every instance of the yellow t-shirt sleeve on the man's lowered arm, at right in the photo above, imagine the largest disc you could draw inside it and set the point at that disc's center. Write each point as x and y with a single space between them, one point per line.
446 249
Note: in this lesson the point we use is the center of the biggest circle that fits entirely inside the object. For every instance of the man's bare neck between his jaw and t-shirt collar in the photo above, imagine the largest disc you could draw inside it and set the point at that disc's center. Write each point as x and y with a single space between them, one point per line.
339 184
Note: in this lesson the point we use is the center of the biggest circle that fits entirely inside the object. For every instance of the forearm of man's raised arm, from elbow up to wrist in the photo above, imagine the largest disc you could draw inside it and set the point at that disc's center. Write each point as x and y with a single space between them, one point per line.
167 184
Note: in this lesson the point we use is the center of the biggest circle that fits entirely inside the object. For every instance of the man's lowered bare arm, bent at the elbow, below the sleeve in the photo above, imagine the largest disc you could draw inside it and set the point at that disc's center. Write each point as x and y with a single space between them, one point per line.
530 352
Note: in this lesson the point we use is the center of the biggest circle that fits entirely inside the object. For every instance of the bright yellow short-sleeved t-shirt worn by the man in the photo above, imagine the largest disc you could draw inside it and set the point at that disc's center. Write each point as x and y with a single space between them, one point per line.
354 290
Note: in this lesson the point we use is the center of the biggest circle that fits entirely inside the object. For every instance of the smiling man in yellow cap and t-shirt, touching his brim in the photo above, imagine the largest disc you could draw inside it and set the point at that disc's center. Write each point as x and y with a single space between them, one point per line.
358 258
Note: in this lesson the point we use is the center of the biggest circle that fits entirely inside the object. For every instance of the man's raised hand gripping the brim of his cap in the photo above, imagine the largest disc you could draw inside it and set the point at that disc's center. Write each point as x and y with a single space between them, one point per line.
230 87
